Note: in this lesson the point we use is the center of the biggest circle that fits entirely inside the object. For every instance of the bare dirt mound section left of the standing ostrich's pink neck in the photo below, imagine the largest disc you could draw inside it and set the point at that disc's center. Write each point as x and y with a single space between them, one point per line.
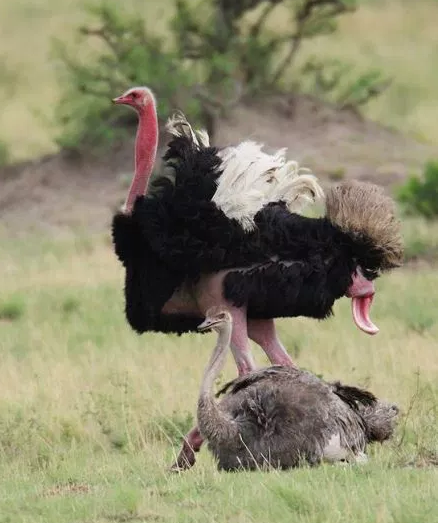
57 192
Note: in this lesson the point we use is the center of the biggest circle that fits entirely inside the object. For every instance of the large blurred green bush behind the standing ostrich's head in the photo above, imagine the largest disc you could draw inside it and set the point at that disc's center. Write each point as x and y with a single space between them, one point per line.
218 53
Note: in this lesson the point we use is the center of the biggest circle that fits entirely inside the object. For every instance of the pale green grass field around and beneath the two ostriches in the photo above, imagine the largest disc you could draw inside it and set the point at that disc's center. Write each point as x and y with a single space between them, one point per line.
91 414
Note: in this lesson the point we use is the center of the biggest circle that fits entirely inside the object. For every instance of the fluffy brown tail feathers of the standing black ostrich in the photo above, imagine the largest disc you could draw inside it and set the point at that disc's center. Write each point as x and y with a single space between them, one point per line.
363 211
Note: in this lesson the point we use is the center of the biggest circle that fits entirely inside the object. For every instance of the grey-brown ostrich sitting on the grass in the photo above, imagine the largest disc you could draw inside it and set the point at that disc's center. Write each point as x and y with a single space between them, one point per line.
281 416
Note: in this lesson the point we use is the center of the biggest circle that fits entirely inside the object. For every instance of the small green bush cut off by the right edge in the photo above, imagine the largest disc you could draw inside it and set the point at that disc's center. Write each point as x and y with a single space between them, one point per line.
419 195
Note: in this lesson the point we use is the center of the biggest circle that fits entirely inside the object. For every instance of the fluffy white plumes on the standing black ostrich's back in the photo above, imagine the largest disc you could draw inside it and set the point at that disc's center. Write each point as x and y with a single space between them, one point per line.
252 178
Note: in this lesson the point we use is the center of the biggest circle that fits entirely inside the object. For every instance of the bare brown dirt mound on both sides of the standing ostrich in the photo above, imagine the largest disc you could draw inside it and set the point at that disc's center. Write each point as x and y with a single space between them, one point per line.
59 192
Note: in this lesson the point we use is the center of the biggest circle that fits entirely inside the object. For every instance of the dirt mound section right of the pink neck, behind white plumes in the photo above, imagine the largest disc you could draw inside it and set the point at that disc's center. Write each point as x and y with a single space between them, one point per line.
333 143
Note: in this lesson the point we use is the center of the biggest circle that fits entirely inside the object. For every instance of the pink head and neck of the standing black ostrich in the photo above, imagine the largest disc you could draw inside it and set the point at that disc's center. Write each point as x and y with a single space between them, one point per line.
142 101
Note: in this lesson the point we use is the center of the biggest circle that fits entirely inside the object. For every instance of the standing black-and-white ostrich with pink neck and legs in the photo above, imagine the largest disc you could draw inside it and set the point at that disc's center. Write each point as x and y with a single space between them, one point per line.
219 227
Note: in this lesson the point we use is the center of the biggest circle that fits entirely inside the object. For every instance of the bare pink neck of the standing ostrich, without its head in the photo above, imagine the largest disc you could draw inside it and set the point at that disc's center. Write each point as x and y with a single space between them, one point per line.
146 143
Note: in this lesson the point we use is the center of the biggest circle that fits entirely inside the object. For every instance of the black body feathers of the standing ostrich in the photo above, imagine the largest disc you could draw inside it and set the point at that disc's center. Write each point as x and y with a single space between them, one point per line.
288 266
